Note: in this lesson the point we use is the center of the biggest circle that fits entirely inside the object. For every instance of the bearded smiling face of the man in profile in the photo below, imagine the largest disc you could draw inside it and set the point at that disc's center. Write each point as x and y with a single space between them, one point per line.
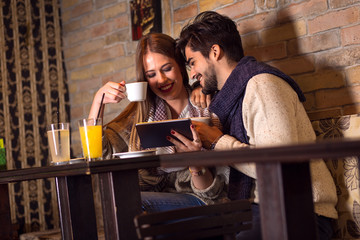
202 70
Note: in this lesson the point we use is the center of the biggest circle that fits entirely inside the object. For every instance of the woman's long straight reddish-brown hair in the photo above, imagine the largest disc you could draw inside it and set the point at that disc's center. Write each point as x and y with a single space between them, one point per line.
155 43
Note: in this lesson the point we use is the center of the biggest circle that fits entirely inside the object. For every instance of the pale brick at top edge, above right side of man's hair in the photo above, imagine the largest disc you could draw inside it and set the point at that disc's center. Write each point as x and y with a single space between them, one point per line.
238 10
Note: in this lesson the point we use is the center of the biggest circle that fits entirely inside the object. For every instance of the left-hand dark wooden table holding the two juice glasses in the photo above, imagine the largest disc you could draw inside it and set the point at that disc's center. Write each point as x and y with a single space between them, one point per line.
119 188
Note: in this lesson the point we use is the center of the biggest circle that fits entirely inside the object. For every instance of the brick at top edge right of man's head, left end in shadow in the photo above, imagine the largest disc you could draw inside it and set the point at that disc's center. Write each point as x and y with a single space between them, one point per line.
303 9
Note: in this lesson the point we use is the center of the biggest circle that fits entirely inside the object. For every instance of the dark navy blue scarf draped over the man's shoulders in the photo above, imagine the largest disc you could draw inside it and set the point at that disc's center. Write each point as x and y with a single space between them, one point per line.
227 105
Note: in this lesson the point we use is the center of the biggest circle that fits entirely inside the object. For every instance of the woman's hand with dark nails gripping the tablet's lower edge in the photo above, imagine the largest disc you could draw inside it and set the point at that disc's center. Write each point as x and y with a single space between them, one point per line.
184 144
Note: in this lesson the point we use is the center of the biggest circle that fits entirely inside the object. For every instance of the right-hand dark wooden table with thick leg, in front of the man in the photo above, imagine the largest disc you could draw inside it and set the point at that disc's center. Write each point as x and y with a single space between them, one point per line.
283 179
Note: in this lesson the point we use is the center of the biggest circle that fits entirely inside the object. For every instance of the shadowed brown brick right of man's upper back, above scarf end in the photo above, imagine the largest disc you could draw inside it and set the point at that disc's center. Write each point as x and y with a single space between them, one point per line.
321 80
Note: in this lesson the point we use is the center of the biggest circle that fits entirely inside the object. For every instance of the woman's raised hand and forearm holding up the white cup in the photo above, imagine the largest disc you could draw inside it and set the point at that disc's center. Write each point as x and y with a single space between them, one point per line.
114 93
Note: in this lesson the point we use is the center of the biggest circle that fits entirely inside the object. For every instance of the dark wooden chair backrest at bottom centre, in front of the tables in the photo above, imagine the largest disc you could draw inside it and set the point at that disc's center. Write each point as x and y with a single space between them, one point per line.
222 219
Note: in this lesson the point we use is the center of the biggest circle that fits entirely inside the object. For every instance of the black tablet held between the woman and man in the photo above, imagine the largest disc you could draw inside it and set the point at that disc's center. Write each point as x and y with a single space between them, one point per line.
153 134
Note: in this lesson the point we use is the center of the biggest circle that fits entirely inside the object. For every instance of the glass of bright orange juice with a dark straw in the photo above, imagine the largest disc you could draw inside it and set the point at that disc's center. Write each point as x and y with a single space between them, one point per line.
91 138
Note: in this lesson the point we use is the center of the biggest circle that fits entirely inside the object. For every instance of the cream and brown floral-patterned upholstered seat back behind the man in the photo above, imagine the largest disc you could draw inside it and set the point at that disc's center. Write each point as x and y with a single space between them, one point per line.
345 174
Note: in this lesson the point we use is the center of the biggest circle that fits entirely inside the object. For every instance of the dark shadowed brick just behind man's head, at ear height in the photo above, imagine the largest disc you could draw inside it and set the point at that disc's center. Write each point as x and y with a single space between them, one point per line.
269 52
